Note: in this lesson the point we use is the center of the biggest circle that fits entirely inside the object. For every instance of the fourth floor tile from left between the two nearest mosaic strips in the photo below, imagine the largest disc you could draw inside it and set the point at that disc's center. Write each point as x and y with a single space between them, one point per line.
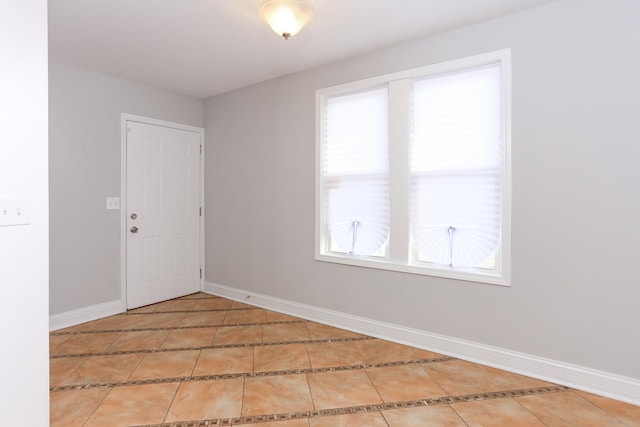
274 395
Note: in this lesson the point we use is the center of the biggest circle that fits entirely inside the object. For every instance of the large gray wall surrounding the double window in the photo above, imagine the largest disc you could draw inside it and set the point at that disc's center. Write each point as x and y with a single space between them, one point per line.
574 294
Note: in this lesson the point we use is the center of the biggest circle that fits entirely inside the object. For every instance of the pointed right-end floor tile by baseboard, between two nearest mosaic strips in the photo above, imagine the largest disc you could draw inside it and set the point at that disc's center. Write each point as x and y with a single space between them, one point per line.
458 377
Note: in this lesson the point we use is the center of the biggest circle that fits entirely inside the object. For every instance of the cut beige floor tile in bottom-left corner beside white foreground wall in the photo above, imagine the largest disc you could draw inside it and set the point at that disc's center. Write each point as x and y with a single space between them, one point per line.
71 408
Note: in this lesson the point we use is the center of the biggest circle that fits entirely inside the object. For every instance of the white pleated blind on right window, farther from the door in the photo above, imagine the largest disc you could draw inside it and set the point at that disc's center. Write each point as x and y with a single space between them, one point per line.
456 167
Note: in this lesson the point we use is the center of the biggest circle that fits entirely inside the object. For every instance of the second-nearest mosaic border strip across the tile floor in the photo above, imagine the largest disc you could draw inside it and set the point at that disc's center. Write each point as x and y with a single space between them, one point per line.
244 375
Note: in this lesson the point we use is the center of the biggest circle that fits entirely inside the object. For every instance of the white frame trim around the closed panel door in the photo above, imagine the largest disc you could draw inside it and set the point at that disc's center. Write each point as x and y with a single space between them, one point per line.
124 118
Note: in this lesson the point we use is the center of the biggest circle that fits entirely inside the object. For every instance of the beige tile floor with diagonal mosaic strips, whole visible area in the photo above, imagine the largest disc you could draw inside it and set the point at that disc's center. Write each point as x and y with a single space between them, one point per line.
202 360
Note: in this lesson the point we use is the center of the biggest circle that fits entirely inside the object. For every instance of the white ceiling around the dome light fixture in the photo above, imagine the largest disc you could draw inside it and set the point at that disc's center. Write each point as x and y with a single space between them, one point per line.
205 47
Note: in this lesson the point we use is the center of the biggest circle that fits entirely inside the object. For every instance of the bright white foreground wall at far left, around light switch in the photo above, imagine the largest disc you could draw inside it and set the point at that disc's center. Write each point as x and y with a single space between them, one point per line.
24 249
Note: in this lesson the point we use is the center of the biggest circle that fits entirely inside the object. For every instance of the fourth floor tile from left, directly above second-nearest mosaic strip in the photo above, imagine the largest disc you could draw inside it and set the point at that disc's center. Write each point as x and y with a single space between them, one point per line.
218 361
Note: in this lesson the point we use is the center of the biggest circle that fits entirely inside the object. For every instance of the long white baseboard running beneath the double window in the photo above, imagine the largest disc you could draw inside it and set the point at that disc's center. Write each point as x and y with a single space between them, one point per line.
598 382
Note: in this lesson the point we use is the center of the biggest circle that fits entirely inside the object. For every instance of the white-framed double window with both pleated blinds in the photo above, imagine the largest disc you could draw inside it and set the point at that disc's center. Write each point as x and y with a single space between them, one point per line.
413 171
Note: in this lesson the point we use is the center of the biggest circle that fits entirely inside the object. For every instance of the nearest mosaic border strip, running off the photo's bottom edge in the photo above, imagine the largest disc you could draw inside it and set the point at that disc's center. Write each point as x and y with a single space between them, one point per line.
306 415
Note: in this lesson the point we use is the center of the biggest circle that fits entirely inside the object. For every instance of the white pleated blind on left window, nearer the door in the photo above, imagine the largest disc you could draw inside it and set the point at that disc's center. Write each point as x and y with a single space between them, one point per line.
355 172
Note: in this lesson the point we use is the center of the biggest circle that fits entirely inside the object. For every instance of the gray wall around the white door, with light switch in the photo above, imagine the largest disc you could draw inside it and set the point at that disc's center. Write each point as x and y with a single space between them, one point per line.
84 137
